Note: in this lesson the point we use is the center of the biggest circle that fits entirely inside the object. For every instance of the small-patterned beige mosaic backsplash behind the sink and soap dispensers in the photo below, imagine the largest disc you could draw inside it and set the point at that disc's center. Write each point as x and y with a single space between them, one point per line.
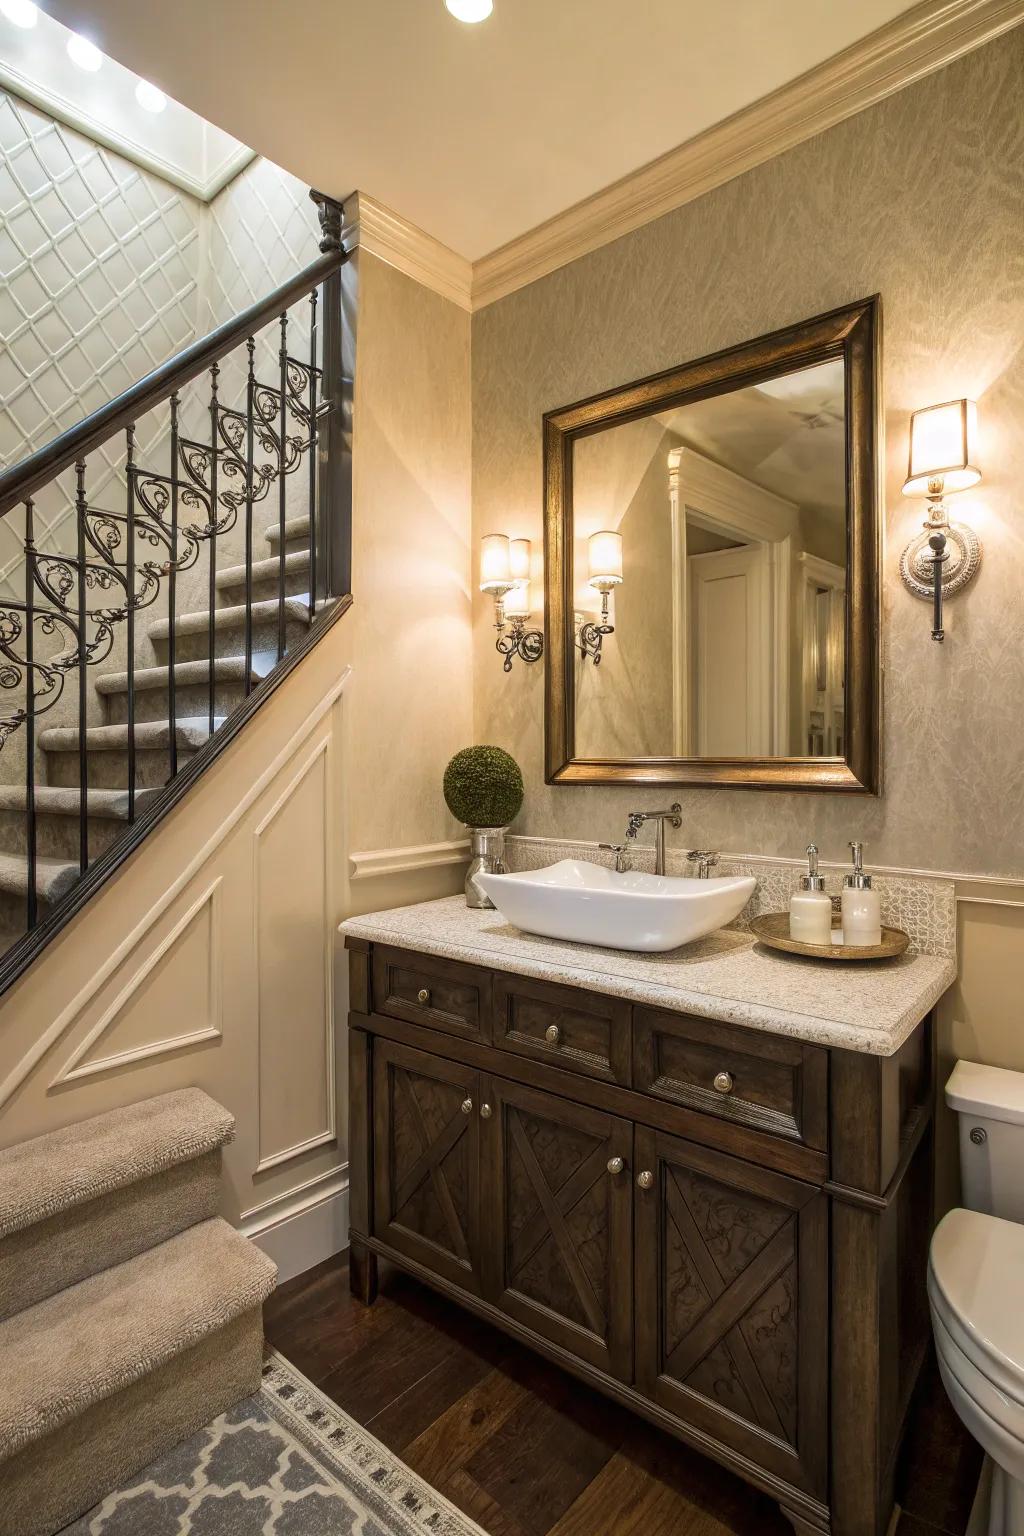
923 909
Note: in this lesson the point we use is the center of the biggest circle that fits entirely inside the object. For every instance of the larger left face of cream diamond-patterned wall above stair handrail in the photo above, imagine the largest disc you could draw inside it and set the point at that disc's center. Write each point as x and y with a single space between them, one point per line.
99 283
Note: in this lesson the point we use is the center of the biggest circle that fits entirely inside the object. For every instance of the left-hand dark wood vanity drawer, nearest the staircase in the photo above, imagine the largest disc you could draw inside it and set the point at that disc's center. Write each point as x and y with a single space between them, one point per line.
426 990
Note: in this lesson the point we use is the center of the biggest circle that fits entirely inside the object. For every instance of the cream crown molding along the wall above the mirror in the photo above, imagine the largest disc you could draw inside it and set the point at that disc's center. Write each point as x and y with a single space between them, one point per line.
914 45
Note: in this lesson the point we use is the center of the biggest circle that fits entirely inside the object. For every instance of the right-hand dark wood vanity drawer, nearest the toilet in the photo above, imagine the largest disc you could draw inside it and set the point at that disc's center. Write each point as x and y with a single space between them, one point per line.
764 1082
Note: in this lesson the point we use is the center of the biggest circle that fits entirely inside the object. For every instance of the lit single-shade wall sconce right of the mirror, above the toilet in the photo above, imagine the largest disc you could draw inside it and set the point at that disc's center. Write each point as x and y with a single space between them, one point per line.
946 555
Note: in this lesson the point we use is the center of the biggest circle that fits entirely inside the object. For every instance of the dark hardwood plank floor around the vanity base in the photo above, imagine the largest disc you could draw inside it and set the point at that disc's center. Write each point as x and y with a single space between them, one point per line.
527 1451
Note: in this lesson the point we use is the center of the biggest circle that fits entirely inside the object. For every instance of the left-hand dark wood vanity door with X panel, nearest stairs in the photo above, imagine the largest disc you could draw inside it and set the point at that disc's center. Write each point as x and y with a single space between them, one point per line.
428 1160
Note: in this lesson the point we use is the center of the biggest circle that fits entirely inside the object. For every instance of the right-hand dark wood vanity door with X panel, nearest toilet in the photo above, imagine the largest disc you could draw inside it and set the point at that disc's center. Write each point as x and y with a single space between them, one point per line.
732 1285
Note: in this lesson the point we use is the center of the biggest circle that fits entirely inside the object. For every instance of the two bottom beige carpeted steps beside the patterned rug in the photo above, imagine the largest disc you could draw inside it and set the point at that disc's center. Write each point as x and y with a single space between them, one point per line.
130 1311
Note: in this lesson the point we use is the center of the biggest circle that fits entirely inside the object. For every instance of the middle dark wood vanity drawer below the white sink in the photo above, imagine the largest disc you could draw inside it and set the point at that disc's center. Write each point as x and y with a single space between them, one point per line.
564 1027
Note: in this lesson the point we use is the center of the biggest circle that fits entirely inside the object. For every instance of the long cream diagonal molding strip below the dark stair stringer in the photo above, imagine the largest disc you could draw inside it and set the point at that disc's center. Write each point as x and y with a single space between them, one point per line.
70 1015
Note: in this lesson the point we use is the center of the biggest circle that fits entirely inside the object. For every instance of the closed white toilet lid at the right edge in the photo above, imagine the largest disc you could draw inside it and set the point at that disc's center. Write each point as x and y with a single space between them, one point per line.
977 1273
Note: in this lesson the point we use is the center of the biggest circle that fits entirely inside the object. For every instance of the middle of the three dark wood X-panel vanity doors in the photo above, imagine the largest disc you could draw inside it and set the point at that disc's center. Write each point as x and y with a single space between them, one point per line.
560 1223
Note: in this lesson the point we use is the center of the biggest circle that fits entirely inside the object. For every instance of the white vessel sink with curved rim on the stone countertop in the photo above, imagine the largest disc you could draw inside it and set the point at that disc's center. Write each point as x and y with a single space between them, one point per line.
592 905
